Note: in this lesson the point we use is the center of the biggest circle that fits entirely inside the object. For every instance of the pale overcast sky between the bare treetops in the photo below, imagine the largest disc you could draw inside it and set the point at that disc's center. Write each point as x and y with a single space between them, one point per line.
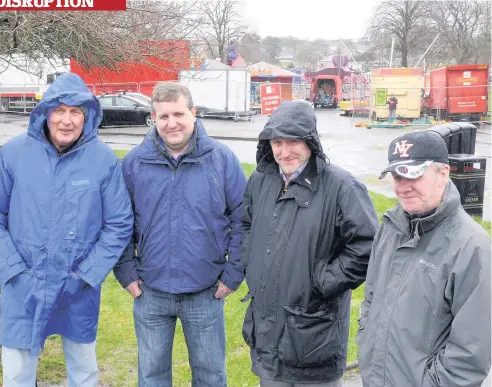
308 19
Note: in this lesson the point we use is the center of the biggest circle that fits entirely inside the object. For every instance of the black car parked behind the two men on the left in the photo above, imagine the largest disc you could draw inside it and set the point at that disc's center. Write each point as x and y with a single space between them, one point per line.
123 109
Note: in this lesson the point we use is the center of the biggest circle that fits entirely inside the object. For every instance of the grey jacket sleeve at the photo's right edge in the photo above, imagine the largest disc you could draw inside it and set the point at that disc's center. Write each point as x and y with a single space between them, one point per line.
465 360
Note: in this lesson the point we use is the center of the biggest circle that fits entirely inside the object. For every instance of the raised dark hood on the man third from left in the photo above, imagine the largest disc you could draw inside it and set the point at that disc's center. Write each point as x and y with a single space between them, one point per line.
292 119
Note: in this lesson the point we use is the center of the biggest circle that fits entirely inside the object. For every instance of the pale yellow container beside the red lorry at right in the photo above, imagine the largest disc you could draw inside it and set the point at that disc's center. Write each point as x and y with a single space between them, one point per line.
404 84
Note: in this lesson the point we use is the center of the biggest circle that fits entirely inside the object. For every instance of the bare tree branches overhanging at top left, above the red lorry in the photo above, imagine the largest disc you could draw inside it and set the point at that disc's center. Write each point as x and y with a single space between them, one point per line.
94 38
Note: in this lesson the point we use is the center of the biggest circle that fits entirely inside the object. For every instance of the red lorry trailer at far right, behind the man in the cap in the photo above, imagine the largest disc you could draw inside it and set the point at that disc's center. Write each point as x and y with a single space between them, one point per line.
459 92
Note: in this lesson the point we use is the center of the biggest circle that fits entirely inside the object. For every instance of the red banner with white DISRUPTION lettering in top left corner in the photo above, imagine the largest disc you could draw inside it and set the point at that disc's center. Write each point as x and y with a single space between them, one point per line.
62 5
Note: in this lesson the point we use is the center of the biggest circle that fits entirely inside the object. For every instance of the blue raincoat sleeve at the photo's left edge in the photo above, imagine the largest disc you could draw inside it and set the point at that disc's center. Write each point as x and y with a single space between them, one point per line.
11 263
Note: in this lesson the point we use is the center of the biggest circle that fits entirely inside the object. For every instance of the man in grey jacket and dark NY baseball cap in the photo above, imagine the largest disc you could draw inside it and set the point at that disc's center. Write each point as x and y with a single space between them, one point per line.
425 320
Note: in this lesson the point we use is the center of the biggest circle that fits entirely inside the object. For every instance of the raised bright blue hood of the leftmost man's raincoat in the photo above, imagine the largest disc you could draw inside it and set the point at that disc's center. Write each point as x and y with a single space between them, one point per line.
68 89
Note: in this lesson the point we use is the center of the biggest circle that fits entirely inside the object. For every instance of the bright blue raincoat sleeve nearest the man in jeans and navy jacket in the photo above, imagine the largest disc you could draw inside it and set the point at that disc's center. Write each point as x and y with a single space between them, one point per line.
116 231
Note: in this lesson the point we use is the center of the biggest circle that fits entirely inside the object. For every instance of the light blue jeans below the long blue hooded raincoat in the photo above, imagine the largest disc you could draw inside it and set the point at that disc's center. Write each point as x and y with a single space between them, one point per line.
19 367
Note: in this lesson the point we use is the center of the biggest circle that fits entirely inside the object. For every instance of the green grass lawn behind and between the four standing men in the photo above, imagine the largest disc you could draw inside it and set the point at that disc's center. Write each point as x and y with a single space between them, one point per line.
116 342
